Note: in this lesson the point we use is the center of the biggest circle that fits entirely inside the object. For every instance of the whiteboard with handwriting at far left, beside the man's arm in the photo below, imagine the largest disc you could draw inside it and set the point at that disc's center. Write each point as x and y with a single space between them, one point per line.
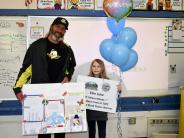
13 43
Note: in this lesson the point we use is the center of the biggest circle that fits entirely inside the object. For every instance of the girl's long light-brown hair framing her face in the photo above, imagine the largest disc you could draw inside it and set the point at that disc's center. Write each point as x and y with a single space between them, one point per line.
103 74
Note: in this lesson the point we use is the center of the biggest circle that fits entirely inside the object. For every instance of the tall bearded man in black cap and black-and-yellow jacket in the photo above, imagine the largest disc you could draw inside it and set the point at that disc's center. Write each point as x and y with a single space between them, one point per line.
47 60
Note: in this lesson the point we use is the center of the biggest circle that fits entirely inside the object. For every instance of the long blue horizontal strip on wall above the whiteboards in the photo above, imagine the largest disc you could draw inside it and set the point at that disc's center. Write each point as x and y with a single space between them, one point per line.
88 13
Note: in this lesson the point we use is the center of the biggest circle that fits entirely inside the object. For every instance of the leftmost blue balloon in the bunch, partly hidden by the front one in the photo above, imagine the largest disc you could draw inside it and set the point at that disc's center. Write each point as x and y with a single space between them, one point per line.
106 47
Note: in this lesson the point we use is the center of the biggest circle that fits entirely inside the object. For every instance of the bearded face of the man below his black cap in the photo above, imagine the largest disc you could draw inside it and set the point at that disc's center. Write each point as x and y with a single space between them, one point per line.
57 32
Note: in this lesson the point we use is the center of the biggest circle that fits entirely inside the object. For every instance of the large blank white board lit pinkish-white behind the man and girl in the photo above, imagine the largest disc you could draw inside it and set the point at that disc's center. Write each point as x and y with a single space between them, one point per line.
86 33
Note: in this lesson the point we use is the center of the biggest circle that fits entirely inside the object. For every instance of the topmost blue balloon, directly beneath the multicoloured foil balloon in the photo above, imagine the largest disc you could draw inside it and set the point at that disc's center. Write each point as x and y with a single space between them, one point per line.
114 26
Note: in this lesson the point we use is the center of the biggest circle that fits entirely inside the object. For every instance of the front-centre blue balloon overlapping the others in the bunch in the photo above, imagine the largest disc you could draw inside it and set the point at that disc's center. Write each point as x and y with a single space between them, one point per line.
120 55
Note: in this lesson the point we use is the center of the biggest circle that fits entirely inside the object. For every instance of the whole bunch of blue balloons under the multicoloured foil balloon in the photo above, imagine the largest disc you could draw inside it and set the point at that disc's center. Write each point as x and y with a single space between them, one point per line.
118 50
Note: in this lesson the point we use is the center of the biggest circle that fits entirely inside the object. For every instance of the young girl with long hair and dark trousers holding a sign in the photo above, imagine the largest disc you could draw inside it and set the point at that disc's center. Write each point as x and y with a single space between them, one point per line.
97 69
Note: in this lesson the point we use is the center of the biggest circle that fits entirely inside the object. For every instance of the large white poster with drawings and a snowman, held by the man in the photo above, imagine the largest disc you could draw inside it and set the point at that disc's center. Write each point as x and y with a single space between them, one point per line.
54 108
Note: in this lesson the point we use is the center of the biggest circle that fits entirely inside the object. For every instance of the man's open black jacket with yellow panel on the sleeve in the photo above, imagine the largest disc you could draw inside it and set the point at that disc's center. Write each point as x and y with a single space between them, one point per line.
35 66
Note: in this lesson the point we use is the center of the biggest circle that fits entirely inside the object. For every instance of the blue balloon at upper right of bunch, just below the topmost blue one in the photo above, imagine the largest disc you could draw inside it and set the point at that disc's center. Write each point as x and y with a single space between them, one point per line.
127 36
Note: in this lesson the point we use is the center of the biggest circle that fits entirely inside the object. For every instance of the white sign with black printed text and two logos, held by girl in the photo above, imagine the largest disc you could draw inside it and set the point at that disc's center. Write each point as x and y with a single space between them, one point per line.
100 93
